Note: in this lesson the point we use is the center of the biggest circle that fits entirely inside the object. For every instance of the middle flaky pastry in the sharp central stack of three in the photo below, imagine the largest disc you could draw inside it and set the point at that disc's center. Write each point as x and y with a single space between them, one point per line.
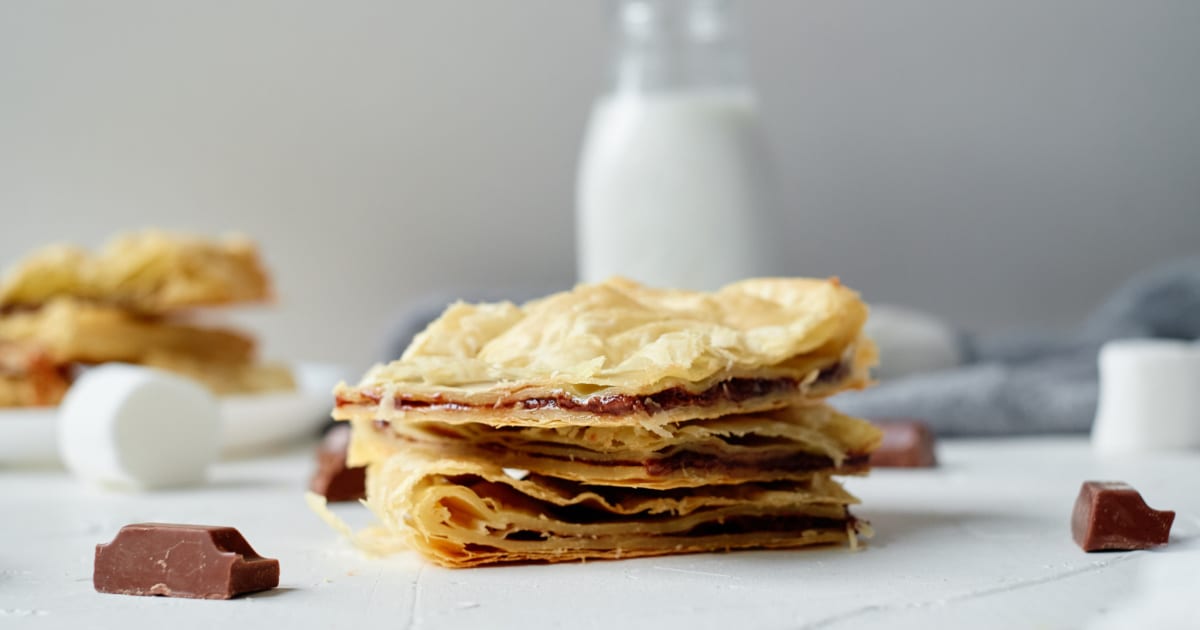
788 445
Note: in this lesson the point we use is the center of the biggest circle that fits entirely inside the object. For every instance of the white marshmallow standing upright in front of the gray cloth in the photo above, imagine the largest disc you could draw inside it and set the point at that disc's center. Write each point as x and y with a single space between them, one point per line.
1150 397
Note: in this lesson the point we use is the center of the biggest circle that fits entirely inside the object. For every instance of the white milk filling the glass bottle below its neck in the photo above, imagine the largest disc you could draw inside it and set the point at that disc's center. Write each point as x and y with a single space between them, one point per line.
673 190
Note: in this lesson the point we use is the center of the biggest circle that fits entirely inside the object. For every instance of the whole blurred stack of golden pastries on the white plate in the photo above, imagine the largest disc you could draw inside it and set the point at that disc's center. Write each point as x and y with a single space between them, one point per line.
64 309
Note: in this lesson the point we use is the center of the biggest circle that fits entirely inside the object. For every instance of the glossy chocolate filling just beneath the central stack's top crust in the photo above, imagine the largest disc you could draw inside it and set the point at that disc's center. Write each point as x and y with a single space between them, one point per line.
731 391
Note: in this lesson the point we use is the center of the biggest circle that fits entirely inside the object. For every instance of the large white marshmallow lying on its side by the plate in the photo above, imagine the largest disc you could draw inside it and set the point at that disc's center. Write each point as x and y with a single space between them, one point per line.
134 428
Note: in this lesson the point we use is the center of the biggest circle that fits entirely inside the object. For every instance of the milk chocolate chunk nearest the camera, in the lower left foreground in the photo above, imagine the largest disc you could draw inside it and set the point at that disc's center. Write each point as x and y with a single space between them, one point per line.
182 561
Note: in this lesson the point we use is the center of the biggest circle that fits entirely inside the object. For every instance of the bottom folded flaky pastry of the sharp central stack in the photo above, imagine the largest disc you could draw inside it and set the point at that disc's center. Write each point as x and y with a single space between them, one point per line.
472 513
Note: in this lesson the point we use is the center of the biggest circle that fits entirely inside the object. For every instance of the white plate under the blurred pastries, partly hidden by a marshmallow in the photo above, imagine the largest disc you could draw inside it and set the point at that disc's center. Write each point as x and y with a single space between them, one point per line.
249 423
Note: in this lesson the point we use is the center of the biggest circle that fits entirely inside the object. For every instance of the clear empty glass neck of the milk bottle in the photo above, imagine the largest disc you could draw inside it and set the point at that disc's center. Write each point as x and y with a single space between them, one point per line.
679 45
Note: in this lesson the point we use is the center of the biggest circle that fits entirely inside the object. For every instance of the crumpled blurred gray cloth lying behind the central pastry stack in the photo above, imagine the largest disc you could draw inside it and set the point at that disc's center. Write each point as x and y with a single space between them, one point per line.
1025 382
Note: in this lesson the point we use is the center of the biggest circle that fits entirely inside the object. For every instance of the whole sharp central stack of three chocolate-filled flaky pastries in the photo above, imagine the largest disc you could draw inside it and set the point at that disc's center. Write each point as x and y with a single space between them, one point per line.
617 422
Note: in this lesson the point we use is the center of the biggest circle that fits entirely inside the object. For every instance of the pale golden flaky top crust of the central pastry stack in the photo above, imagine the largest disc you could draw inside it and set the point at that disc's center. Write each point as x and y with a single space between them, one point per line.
620 337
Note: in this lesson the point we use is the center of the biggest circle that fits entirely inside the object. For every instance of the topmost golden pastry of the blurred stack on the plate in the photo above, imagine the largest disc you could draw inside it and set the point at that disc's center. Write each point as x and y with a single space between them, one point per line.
149 272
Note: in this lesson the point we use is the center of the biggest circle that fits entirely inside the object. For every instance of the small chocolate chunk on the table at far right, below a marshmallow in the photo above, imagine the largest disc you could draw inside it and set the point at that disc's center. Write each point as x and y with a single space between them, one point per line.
1112 515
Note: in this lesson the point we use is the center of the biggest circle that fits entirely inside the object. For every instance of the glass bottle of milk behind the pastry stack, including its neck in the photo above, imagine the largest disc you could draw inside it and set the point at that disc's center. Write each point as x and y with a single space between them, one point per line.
673 185
